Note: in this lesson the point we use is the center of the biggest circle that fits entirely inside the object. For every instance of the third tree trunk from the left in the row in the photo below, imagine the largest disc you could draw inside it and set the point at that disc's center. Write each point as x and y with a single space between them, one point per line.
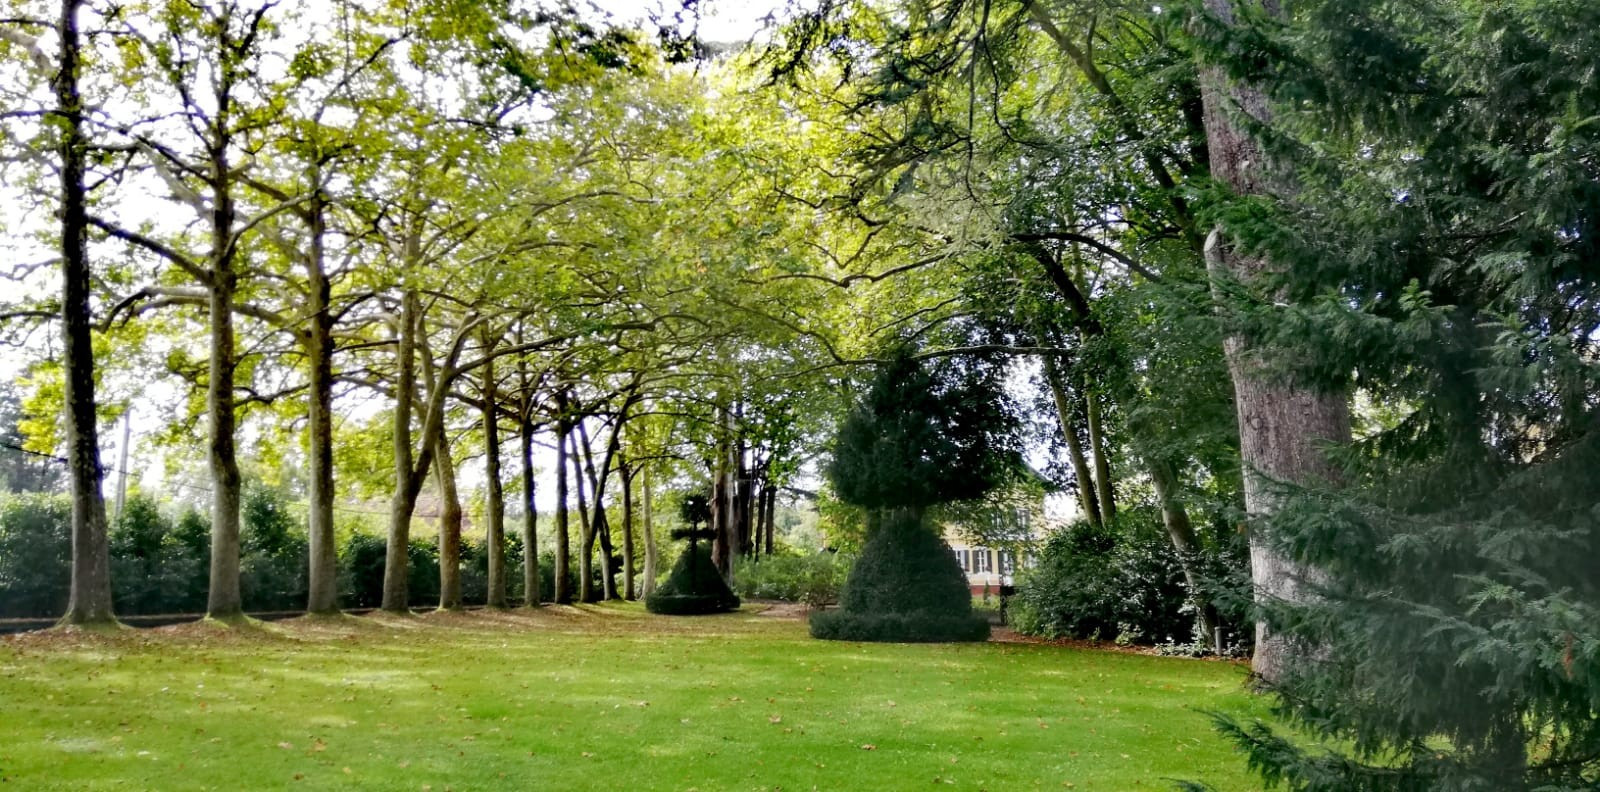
322 570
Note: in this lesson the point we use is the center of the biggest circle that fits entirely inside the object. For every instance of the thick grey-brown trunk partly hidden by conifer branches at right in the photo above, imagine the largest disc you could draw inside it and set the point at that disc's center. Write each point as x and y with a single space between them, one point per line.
1282 423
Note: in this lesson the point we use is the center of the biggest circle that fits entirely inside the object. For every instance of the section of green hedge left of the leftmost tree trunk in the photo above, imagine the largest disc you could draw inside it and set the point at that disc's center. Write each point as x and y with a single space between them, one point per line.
36 550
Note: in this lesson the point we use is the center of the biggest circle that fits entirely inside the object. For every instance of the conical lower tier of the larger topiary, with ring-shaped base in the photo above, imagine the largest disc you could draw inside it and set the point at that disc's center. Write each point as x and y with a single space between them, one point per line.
905 588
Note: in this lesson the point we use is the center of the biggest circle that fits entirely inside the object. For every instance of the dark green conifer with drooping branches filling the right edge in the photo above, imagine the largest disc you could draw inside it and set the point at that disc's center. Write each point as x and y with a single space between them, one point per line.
1436 242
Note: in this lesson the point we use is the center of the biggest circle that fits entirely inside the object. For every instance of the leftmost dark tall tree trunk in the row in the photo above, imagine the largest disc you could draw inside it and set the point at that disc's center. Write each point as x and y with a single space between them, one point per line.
90 590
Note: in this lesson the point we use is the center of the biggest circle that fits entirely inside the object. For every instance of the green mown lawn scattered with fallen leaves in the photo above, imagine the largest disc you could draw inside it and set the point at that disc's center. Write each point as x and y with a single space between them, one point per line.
596 698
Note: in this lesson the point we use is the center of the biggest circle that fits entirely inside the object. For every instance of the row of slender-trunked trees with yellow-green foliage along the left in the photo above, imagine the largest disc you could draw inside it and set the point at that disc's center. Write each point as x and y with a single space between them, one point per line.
468 214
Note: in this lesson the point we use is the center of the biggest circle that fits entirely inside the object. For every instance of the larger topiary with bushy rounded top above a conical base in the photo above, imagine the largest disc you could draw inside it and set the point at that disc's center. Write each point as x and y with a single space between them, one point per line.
921 438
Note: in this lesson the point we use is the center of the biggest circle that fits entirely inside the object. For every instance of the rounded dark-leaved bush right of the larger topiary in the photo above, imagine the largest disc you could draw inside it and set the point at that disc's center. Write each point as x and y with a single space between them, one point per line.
1105 583
